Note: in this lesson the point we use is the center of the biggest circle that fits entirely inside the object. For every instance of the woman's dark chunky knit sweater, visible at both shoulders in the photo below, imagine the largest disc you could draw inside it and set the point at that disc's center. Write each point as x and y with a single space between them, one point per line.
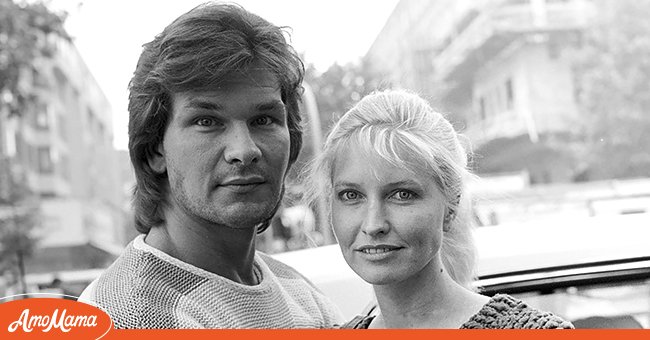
501 312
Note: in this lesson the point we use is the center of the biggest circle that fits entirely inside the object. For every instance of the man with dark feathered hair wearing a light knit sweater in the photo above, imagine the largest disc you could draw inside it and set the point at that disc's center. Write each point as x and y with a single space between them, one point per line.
214 126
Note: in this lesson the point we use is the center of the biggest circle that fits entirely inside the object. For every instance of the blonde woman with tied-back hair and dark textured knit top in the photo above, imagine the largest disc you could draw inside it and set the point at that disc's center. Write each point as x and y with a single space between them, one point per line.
393 172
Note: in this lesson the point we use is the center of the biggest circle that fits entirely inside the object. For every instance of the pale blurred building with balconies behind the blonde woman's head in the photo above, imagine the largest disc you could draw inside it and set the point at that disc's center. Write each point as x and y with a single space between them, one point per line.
501 67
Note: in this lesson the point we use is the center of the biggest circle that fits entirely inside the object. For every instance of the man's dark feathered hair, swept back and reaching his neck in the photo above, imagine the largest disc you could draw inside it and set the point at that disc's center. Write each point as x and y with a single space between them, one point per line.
196 52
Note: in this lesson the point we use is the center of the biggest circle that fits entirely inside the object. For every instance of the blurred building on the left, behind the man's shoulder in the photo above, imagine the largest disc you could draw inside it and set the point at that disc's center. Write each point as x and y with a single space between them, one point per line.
63 148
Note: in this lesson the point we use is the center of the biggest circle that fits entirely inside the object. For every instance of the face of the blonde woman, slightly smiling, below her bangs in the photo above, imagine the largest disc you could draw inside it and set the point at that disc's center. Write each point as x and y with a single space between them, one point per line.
388 222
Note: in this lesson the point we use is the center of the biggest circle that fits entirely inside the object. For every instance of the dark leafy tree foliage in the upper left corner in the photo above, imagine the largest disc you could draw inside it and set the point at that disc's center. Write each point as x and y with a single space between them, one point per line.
24 31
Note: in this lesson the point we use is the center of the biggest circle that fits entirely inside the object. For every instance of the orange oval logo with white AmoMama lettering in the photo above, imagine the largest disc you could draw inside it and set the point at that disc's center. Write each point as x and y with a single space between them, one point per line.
36 317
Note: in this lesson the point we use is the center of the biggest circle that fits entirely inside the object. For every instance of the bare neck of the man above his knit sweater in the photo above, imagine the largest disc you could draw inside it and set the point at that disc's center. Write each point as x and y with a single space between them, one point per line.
218 249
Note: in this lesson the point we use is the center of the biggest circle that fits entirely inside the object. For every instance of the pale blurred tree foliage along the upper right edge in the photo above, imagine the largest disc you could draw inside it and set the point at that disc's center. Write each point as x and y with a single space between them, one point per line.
612 70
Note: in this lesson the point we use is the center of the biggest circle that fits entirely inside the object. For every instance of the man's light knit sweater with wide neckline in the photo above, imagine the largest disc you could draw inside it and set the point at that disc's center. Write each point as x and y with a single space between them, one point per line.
147 288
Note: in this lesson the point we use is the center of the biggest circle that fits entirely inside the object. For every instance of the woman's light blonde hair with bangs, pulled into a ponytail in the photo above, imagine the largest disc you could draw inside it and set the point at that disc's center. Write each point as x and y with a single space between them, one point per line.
403 129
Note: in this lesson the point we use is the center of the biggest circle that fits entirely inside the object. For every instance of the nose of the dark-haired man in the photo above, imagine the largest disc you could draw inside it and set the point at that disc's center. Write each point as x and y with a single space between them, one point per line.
240 146
